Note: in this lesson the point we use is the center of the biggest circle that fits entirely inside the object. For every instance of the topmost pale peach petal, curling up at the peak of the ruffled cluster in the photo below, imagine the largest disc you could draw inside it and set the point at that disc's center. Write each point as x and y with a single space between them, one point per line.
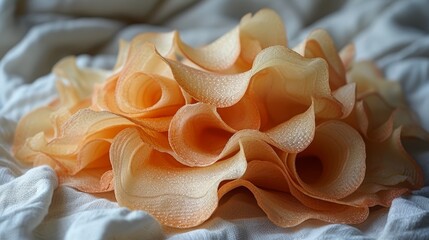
242 43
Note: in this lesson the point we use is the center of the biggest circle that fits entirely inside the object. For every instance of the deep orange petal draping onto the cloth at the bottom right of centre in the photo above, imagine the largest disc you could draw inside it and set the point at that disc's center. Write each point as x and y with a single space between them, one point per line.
267 178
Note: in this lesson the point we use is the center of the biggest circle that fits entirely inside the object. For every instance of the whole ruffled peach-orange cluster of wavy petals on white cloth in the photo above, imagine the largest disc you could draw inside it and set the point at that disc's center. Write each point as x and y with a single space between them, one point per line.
174 128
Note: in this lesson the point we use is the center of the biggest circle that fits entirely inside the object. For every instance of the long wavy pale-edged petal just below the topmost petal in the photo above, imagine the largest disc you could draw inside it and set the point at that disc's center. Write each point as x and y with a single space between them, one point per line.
301 79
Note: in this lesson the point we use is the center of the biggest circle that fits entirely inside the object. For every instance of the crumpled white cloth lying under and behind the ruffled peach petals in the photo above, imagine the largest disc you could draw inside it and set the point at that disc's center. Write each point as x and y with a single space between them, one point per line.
36 34
